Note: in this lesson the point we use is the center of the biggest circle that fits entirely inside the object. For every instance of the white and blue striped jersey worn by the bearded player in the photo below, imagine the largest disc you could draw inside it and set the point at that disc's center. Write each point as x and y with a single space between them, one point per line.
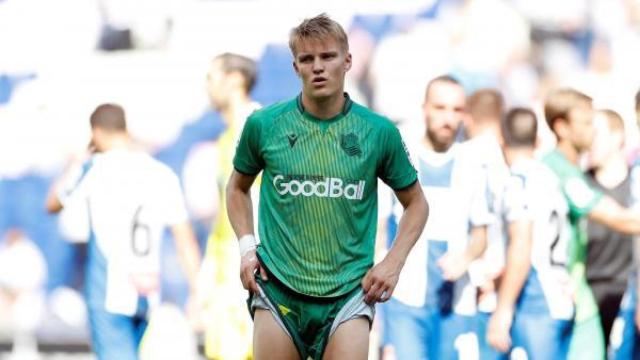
455 187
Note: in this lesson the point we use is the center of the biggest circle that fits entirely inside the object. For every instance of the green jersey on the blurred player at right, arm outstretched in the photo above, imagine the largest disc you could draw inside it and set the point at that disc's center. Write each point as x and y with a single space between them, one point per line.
581 198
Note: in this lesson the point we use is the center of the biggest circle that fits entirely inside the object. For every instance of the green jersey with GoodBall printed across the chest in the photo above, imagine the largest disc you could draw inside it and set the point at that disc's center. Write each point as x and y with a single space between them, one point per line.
318 197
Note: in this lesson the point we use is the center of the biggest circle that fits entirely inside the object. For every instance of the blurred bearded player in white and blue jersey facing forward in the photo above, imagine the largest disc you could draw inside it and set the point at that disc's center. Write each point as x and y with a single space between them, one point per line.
432 312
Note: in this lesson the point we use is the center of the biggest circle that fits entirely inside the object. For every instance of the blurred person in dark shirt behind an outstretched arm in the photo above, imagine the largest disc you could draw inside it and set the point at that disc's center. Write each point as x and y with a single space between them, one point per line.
609 253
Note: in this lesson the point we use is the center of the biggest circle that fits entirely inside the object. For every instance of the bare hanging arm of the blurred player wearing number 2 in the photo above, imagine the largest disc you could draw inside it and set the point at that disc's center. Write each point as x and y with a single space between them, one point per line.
515 275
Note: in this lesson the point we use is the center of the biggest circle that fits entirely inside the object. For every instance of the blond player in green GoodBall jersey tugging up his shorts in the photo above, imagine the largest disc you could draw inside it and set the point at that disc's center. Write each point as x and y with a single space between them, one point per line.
312 279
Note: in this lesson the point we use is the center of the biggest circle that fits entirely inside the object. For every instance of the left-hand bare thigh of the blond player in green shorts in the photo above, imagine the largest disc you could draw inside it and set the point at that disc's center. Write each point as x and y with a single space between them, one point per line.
269 339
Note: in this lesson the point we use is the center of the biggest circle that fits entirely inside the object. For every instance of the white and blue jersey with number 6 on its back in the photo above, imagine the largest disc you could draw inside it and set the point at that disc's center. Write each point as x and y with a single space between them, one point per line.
129 198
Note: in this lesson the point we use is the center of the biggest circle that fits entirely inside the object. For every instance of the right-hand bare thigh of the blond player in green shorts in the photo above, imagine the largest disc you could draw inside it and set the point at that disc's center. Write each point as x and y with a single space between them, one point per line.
349 341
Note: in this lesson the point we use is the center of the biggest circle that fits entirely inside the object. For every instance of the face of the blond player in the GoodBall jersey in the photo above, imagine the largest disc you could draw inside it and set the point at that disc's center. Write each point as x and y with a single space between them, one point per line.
321 65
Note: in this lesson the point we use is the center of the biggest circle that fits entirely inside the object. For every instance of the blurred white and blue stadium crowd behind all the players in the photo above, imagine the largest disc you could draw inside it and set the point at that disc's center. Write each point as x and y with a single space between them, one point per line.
60 59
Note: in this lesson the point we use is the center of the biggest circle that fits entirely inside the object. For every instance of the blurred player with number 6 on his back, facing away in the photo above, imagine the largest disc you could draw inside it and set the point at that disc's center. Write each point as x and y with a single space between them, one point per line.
129 199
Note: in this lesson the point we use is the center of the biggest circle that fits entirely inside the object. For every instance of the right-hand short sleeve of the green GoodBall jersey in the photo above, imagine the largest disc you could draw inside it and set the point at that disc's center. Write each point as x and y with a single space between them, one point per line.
395 169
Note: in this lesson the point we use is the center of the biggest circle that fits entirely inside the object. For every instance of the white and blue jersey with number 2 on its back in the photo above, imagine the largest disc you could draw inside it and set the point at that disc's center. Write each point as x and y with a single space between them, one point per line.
533 193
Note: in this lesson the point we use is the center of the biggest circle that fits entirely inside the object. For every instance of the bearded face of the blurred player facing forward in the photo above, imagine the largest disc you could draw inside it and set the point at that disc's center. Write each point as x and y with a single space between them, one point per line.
444 110
